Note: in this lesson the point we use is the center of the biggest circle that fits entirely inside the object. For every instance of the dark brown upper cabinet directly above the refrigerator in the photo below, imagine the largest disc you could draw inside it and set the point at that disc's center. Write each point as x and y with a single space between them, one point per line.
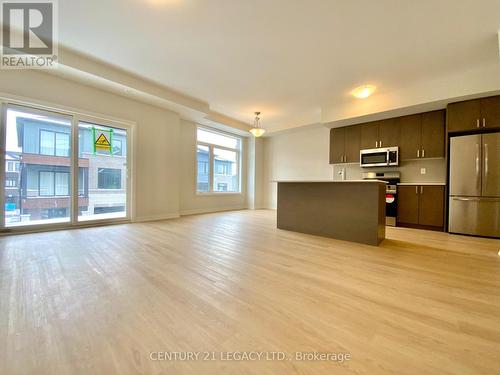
474 114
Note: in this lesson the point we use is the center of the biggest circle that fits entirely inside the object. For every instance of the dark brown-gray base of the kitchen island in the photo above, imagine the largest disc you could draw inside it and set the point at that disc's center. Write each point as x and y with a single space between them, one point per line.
344 210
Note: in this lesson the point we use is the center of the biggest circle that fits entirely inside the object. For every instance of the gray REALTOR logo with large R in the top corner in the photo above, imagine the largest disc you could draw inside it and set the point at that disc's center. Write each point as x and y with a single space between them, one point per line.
29 34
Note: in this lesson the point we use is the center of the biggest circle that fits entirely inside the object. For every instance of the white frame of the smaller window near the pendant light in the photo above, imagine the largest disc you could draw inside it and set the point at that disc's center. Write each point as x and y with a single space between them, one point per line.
211 162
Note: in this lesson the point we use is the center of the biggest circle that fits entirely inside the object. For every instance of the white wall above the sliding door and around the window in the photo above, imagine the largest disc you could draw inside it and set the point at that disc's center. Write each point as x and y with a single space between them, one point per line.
164 146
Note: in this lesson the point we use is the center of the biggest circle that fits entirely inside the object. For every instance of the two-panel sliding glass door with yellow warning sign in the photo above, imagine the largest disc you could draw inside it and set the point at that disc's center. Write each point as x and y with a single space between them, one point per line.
61 170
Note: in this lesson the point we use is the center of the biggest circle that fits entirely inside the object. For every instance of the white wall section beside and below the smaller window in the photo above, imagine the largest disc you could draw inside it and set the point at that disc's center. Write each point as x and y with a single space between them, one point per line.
190 202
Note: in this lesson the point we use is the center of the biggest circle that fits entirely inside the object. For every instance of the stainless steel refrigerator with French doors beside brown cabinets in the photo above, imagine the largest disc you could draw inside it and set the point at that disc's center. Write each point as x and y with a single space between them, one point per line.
474 204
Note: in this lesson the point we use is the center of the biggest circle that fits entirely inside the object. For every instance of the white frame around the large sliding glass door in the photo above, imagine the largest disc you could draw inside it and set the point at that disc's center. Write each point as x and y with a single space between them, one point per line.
75 116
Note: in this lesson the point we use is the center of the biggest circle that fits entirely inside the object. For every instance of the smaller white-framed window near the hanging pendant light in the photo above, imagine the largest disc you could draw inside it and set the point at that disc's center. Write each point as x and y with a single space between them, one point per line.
222 153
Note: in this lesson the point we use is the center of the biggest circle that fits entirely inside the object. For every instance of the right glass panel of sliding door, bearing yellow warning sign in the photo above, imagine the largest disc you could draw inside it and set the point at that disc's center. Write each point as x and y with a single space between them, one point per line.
102 172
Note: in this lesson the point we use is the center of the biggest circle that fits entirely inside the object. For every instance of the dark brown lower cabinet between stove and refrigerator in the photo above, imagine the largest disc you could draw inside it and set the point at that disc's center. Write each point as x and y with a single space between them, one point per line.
421 206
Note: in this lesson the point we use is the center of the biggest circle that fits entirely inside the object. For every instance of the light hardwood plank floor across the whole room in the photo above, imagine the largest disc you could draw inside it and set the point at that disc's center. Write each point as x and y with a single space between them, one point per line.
100 300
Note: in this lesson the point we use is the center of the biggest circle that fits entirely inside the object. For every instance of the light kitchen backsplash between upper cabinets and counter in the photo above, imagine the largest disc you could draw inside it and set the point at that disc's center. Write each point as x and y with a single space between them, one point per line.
435 170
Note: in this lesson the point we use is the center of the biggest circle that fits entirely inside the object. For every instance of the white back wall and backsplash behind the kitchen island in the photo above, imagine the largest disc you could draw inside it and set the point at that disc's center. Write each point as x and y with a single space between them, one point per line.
303 154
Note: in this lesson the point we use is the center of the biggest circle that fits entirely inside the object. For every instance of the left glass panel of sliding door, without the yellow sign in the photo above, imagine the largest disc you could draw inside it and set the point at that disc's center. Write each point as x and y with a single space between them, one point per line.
37 178
